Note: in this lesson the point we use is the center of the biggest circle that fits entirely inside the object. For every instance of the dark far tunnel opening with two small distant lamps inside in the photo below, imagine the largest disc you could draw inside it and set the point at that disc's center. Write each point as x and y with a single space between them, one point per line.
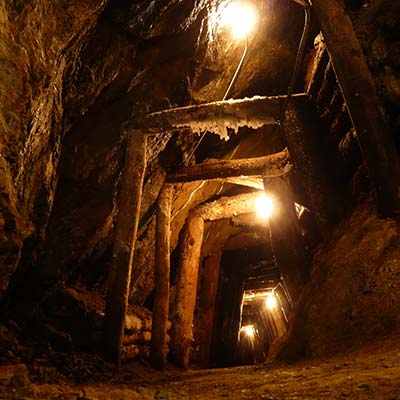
251 307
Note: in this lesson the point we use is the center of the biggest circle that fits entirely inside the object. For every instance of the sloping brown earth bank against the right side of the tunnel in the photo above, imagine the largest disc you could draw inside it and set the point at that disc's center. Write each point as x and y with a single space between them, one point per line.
353 292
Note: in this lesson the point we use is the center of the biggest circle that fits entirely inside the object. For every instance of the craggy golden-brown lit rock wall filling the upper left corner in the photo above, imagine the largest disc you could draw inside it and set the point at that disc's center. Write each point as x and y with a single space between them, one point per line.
39 40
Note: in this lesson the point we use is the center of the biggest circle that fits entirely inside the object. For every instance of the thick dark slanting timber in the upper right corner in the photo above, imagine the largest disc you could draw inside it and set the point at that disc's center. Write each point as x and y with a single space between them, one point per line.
358 88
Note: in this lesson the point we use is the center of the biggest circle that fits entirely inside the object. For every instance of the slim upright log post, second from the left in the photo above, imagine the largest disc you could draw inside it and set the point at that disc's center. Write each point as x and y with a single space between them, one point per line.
158 353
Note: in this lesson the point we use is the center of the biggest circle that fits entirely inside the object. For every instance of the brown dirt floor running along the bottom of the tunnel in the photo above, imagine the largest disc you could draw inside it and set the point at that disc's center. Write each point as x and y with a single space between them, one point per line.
369 373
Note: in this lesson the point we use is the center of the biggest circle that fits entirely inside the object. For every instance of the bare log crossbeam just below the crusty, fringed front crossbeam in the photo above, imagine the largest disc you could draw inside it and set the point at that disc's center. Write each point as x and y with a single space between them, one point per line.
272 165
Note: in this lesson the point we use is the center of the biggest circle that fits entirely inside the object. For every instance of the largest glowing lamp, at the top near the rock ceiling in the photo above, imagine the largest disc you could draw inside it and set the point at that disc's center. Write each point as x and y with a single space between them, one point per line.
240 18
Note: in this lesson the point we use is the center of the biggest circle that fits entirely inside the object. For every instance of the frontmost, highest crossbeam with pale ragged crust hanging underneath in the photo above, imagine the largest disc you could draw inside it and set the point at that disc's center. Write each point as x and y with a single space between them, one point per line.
214 117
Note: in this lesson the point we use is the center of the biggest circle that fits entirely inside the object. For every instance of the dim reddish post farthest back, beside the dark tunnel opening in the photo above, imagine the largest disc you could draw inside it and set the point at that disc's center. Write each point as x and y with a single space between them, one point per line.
208 295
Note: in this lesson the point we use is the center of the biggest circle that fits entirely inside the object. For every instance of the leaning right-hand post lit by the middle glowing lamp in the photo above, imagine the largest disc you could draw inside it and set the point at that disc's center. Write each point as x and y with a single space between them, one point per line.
286 242
